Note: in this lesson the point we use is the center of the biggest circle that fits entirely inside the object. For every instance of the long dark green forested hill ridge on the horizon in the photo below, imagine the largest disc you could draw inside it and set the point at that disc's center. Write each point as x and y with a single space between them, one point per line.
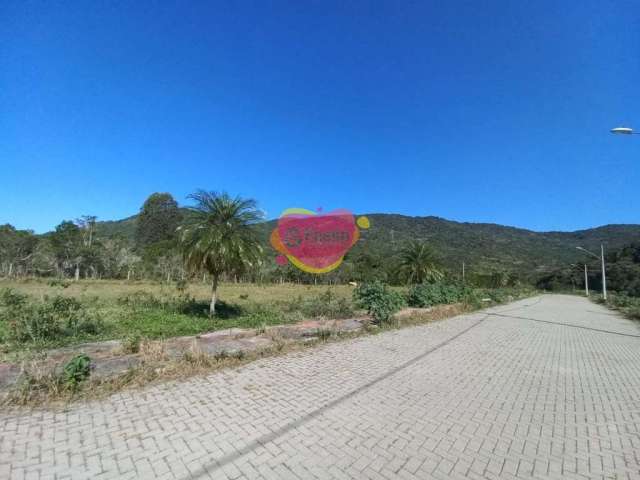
482 246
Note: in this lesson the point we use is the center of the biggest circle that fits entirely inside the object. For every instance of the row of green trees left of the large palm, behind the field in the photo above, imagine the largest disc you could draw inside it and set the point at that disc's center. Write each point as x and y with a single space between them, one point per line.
75 249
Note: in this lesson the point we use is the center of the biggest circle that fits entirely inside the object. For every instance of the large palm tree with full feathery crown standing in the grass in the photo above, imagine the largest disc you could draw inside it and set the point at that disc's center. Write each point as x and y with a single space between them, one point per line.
218 236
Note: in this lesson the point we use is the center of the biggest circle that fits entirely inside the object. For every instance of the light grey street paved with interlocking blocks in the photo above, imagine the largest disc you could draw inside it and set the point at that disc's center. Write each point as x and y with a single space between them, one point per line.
547 387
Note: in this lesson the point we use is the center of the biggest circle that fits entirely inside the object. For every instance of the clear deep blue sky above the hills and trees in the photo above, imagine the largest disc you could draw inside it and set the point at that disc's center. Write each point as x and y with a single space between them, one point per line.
494 111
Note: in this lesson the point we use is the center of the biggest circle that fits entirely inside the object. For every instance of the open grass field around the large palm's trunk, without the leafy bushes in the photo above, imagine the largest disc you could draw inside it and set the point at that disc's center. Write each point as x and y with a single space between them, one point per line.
121 310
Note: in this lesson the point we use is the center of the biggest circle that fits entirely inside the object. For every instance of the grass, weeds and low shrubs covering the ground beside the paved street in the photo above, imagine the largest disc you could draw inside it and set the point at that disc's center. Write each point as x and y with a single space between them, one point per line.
72 380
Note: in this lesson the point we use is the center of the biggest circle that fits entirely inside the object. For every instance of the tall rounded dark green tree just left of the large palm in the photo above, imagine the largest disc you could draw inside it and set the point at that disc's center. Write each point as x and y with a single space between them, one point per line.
158 219
